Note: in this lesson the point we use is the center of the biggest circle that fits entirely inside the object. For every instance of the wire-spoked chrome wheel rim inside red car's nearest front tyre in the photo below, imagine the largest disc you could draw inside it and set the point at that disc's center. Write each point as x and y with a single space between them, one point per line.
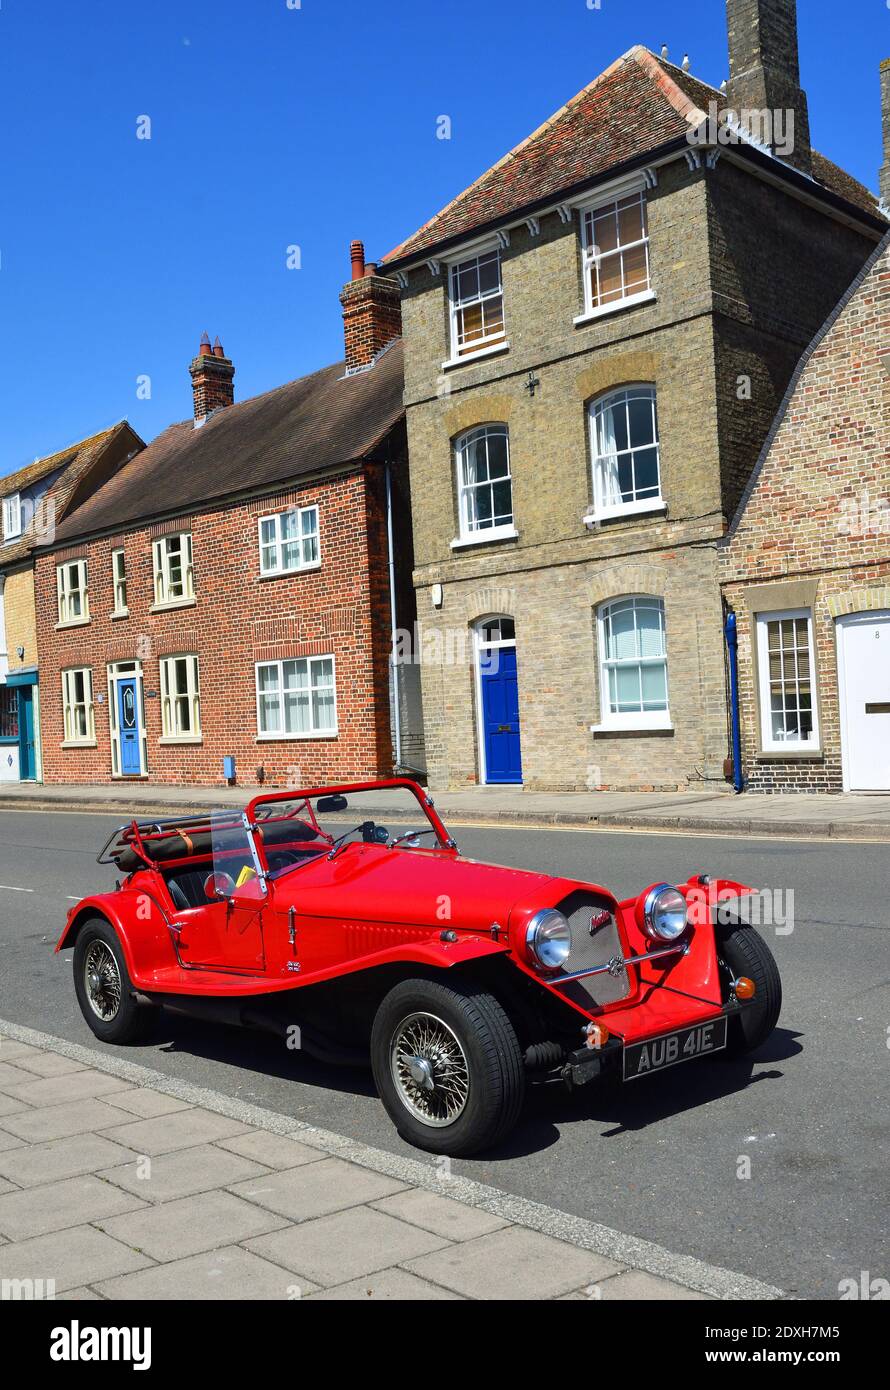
430 1070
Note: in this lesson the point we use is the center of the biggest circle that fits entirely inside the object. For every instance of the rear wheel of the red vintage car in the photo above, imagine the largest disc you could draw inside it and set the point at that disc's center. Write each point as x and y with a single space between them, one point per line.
104 988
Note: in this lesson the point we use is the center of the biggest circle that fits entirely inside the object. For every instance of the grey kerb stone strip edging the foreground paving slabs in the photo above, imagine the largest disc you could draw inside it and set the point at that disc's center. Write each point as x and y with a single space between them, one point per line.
631 1252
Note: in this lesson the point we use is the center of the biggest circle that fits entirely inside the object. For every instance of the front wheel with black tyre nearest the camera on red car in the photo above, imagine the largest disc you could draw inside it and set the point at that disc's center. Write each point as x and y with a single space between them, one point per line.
447 1065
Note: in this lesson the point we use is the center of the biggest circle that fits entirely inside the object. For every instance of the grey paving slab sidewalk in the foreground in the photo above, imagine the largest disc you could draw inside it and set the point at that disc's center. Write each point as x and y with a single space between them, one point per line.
166 1191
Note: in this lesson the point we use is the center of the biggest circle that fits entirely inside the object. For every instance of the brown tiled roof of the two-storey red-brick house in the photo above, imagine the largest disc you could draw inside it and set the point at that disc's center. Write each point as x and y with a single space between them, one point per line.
321 422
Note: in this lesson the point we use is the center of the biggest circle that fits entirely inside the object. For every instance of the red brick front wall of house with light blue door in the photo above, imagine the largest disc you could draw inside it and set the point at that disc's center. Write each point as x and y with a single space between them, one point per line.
238 619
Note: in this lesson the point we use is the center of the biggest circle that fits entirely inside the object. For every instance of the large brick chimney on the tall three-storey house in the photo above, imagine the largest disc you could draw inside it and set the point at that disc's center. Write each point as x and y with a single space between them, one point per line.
766 76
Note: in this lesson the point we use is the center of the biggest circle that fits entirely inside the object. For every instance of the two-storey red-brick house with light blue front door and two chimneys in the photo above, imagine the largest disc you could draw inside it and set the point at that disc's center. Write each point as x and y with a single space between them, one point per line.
230 594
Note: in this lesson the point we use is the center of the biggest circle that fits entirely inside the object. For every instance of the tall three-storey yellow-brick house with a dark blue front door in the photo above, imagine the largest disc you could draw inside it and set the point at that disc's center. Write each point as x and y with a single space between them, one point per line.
599 334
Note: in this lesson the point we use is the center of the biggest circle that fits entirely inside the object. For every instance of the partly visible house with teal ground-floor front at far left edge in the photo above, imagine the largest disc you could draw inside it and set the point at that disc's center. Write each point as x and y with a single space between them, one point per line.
35 500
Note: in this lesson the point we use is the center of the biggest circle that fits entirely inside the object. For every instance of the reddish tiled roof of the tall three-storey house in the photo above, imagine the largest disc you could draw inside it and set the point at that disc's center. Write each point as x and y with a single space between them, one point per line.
636 106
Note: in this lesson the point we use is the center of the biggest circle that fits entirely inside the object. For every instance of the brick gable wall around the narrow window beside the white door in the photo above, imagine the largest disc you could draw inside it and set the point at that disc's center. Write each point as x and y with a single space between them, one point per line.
821 511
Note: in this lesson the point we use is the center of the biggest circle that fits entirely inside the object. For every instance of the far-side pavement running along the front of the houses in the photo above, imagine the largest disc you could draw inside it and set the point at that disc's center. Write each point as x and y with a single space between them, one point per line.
699 812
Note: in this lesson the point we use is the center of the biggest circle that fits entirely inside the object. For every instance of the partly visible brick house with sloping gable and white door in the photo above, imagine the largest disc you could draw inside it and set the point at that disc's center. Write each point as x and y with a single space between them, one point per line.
806 564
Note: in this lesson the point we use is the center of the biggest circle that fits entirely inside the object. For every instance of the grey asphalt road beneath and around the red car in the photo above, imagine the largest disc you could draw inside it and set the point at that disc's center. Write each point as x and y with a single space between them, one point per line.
658 1159
